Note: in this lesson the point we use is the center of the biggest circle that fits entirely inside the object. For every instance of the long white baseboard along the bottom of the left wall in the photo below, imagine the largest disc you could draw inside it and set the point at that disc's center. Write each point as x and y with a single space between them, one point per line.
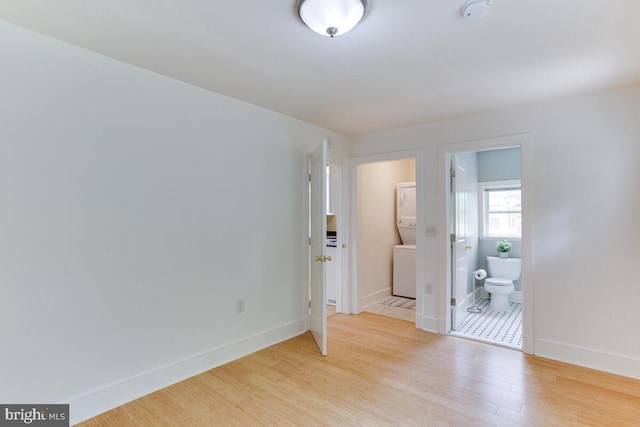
116 394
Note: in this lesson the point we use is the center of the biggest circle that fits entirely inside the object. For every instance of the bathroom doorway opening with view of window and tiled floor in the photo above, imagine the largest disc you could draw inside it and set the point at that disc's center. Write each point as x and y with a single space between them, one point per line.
484 193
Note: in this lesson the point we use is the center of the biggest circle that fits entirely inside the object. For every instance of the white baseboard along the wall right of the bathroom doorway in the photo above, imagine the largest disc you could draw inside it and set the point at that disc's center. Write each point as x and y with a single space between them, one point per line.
588 358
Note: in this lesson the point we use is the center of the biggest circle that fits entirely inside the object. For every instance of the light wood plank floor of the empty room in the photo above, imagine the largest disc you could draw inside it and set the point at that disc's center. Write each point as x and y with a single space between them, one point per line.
384 372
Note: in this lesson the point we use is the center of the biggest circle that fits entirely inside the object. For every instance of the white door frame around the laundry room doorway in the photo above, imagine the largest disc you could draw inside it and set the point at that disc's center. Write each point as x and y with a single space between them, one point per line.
354 302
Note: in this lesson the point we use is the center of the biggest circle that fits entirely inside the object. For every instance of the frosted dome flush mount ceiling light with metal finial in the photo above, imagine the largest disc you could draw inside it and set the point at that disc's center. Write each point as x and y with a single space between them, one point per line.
331 17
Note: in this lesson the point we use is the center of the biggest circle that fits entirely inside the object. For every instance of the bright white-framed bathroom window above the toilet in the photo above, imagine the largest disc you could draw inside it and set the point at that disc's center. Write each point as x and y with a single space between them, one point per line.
501 206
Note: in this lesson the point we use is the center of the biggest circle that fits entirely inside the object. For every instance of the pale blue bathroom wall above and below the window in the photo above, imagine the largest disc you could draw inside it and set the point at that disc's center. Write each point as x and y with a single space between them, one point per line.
498 165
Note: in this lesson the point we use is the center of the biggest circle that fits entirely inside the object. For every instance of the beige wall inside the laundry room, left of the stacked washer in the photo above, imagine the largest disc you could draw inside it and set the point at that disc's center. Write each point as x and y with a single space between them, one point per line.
377 230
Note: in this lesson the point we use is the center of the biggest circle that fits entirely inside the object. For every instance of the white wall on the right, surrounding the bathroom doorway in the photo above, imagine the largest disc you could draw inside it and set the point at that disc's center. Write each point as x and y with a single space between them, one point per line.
585 210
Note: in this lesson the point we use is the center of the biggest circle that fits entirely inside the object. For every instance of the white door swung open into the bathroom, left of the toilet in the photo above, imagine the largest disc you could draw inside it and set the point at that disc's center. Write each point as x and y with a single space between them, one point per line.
460 245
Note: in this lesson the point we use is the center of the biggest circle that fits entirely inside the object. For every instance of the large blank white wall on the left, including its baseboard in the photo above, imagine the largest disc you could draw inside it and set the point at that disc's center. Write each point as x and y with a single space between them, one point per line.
134 211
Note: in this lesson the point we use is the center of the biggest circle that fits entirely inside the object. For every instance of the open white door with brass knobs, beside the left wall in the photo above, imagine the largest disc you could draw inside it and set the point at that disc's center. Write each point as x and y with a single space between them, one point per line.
318 248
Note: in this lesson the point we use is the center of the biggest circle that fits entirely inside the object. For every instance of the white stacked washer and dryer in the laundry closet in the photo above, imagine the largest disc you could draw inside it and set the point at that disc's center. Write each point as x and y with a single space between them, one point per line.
404 255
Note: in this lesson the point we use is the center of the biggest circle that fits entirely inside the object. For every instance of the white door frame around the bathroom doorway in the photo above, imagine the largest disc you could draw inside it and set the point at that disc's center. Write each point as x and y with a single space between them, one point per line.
445 152
